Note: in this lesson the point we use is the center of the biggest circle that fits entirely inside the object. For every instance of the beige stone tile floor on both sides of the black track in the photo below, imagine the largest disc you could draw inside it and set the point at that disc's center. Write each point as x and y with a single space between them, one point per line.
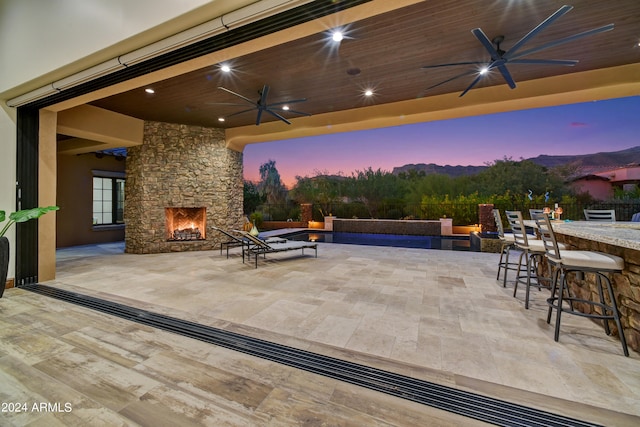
432 314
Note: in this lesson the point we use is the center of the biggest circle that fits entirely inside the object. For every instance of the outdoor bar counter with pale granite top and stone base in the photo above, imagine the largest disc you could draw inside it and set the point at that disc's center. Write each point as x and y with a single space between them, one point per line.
621 239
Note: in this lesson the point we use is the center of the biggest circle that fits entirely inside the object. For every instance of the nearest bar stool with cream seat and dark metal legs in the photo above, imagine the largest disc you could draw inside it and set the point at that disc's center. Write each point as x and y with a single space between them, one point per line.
579 262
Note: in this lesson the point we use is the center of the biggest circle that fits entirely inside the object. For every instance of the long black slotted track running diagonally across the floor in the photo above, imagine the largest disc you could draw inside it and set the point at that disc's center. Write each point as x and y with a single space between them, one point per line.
486 409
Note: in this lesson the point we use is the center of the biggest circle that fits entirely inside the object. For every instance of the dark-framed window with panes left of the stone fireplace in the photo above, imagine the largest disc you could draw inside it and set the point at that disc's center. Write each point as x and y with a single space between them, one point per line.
108 200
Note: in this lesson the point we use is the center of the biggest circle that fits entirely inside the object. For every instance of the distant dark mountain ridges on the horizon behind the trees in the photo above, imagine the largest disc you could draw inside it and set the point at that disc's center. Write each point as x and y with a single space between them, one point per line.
581 164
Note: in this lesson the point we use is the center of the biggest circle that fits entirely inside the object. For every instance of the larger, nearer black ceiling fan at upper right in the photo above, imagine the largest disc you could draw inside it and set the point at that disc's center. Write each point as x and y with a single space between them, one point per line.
500 58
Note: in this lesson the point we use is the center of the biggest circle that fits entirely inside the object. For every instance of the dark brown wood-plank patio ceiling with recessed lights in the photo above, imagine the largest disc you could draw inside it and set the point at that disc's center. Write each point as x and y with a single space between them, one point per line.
387 53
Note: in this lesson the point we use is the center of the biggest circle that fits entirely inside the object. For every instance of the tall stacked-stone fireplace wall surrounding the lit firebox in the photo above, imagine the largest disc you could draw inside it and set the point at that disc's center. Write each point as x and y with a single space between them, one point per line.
180 166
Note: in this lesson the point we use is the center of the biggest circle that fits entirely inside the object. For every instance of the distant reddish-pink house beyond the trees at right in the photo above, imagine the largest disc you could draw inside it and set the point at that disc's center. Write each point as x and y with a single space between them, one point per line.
601 184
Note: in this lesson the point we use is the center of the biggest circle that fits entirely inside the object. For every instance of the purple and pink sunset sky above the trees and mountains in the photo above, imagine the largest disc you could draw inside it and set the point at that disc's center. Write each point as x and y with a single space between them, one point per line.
574 129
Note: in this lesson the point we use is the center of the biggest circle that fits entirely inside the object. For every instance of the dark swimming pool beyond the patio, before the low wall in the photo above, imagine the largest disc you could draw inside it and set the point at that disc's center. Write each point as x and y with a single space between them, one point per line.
395 240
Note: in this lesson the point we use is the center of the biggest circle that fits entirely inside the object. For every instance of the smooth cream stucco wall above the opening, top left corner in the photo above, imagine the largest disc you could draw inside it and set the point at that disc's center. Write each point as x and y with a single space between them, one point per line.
66 32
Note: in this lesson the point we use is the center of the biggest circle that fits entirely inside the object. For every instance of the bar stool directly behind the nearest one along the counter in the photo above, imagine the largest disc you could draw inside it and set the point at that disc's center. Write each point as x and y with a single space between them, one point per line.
533 251
